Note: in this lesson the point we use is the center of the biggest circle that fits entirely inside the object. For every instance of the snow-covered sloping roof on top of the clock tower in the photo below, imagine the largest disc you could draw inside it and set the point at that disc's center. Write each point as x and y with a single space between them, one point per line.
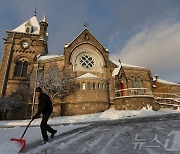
34 23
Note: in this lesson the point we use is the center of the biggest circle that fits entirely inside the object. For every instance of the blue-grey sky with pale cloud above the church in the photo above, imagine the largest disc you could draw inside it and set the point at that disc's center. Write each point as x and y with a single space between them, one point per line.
139 32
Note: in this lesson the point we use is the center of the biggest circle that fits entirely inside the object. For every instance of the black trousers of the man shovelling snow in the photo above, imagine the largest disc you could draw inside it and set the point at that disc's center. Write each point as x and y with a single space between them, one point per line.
45 127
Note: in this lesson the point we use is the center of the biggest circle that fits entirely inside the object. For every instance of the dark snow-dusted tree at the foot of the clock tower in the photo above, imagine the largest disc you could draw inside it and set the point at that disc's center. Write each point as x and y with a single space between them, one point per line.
9 103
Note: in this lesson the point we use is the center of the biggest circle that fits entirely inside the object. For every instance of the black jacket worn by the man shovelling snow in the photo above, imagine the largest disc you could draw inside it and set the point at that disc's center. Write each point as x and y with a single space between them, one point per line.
44 106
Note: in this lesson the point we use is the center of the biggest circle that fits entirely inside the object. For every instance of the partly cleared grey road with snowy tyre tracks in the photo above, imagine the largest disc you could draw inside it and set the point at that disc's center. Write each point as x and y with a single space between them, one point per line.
149 135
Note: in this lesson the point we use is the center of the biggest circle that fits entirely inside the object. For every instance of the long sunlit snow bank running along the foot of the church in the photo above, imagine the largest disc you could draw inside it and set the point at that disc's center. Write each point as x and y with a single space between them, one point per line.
111 114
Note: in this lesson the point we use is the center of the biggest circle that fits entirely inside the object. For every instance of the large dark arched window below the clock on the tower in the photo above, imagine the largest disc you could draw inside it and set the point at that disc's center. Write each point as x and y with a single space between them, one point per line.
21 68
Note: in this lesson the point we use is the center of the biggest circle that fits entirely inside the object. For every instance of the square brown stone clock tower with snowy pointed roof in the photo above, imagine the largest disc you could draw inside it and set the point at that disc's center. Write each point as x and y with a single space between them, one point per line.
22 47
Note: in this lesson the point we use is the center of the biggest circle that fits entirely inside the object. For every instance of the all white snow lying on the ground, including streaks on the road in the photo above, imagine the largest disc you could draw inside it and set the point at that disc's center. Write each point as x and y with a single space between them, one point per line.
15 128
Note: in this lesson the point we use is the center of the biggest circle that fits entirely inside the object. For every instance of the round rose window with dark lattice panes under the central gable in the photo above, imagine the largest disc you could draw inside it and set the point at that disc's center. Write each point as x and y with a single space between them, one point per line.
86 61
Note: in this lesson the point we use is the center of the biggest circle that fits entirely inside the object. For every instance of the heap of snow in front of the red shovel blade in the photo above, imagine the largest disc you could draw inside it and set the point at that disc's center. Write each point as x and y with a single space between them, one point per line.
10 147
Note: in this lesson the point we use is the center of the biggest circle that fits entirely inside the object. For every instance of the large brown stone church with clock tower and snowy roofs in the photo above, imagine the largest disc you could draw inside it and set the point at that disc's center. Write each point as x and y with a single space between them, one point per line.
100 82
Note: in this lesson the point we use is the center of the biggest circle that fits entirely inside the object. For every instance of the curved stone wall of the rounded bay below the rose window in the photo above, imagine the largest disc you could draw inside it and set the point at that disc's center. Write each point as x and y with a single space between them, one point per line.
87 100
